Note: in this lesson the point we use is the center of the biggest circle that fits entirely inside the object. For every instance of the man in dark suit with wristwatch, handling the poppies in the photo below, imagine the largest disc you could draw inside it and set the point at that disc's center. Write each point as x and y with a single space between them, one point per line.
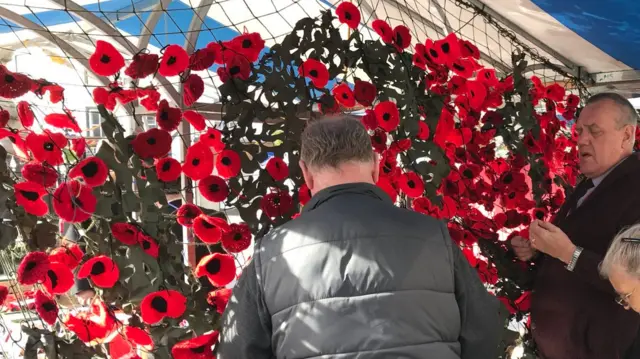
574 314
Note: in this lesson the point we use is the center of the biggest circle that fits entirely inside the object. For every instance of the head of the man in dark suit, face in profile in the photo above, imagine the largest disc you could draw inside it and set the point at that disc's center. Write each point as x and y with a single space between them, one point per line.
606 133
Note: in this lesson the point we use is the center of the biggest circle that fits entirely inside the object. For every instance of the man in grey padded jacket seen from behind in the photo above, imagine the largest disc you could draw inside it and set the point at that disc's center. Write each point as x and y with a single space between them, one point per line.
355 276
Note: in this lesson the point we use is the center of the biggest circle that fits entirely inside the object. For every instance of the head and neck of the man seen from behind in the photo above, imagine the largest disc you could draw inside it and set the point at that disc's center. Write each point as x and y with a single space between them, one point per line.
337 151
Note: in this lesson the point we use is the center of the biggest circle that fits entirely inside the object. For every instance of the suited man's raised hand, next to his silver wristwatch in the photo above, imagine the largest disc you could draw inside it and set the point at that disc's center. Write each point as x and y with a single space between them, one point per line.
551 240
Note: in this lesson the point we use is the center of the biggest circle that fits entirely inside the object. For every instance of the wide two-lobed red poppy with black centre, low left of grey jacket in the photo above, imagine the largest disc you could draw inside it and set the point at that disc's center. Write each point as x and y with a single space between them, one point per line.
156 306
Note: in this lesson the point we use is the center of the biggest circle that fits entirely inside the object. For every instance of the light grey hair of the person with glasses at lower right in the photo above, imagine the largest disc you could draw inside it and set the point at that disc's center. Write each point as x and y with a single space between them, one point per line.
623 253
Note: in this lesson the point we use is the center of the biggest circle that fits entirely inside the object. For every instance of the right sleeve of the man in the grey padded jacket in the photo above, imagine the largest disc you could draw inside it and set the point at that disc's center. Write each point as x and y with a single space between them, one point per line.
482 315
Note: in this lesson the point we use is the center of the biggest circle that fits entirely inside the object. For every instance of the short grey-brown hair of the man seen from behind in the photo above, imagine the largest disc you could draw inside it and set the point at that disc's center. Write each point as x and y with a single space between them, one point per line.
332 141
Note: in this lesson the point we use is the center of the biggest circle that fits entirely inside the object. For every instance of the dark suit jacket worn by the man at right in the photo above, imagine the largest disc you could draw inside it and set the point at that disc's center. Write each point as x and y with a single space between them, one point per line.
574 314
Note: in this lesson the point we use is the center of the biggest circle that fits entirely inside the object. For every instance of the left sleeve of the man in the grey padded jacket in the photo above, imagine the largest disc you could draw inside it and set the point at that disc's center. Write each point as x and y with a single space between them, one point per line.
246 324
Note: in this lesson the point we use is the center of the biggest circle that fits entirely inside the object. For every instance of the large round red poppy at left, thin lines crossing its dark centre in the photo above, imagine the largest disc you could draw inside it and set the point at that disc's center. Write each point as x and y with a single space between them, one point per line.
74 202
